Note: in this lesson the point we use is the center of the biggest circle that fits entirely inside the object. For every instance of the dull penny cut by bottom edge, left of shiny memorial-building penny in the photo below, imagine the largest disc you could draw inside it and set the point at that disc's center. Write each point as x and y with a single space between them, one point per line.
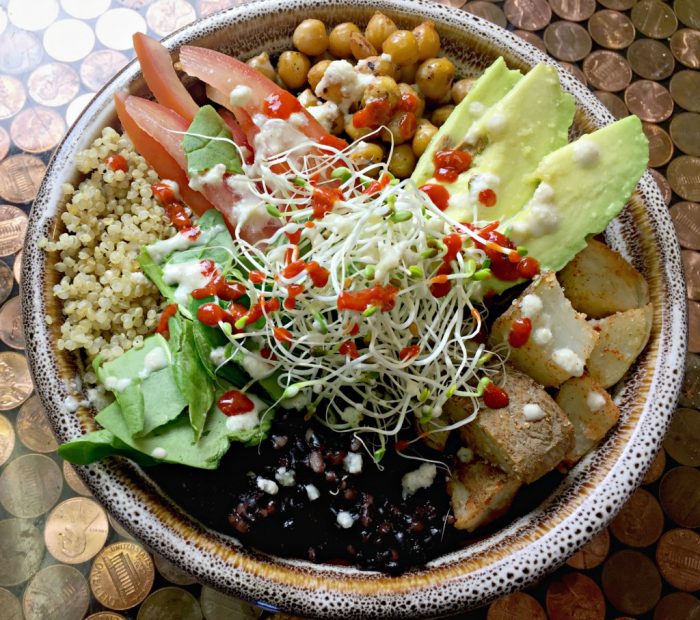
58 592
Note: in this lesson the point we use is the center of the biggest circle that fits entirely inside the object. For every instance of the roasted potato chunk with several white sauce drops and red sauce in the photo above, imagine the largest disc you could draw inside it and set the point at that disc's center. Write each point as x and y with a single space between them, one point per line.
560 341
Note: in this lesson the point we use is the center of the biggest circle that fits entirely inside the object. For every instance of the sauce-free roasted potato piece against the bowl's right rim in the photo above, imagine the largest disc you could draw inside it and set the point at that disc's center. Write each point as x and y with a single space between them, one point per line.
622 337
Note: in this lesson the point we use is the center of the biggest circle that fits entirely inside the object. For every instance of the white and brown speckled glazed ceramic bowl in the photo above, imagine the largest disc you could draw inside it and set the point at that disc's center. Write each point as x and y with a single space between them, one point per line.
528 546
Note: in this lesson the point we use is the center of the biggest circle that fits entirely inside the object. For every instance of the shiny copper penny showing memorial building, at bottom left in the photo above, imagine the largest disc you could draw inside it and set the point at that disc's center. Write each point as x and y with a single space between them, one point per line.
122 575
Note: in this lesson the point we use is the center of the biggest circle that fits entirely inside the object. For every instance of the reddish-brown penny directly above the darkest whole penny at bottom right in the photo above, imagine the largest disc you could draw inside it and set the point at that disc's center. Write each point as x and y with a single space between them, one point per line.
640 522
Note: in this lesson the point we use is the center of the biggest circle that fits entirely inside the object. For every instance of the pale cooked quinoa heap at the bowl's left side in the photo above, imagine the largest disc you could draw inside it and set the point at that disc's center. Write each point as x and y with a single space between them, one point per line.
108 303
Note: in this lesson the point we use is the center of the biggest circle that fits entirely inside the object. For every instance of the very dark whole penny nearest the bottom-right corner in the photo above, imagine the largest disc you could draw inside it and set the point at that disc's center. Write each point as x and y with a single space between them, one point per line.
631 582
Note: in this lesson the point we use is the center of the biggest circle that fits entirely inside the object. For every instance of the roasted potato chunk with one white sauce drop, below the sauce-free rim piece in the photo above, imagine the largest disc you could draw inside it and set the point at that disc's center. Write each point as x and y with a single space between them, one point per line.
590 410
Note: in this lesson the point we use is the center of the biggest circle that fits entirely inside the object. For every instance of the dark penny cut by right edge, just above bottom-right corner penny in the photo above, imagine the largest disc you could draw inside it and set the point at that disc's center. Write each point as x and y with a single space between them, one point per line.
678 557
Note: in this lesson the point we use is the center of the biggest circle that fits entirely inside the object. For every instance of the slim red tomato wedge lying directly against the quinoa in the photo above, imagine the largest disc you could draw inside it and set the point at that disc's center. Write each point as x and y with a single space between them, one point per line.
157 157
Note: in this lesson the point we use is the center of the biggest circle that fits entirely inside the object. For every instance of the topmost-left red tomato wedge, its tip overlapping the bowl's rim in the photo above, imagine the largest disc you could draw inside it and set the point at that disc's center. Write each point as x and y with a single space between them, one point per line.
161 78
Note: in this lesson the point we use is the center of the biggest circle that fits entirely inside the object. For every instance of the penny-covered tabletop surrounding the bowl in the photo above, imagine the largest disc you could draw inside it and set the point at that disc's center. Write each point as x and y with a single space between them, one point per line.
639 56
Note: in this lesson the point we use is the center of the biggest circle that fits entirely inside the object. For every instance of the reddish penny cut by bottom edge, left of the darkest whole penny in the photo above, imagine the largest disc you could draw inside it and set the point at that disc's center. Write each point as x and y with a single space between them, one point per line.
575 596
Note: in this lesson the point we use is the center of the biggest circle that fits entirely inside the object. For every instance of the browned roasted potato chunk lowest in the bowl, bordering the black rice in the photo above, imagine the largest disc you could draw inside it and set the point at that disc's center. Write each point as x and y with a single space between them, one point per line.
480 493
